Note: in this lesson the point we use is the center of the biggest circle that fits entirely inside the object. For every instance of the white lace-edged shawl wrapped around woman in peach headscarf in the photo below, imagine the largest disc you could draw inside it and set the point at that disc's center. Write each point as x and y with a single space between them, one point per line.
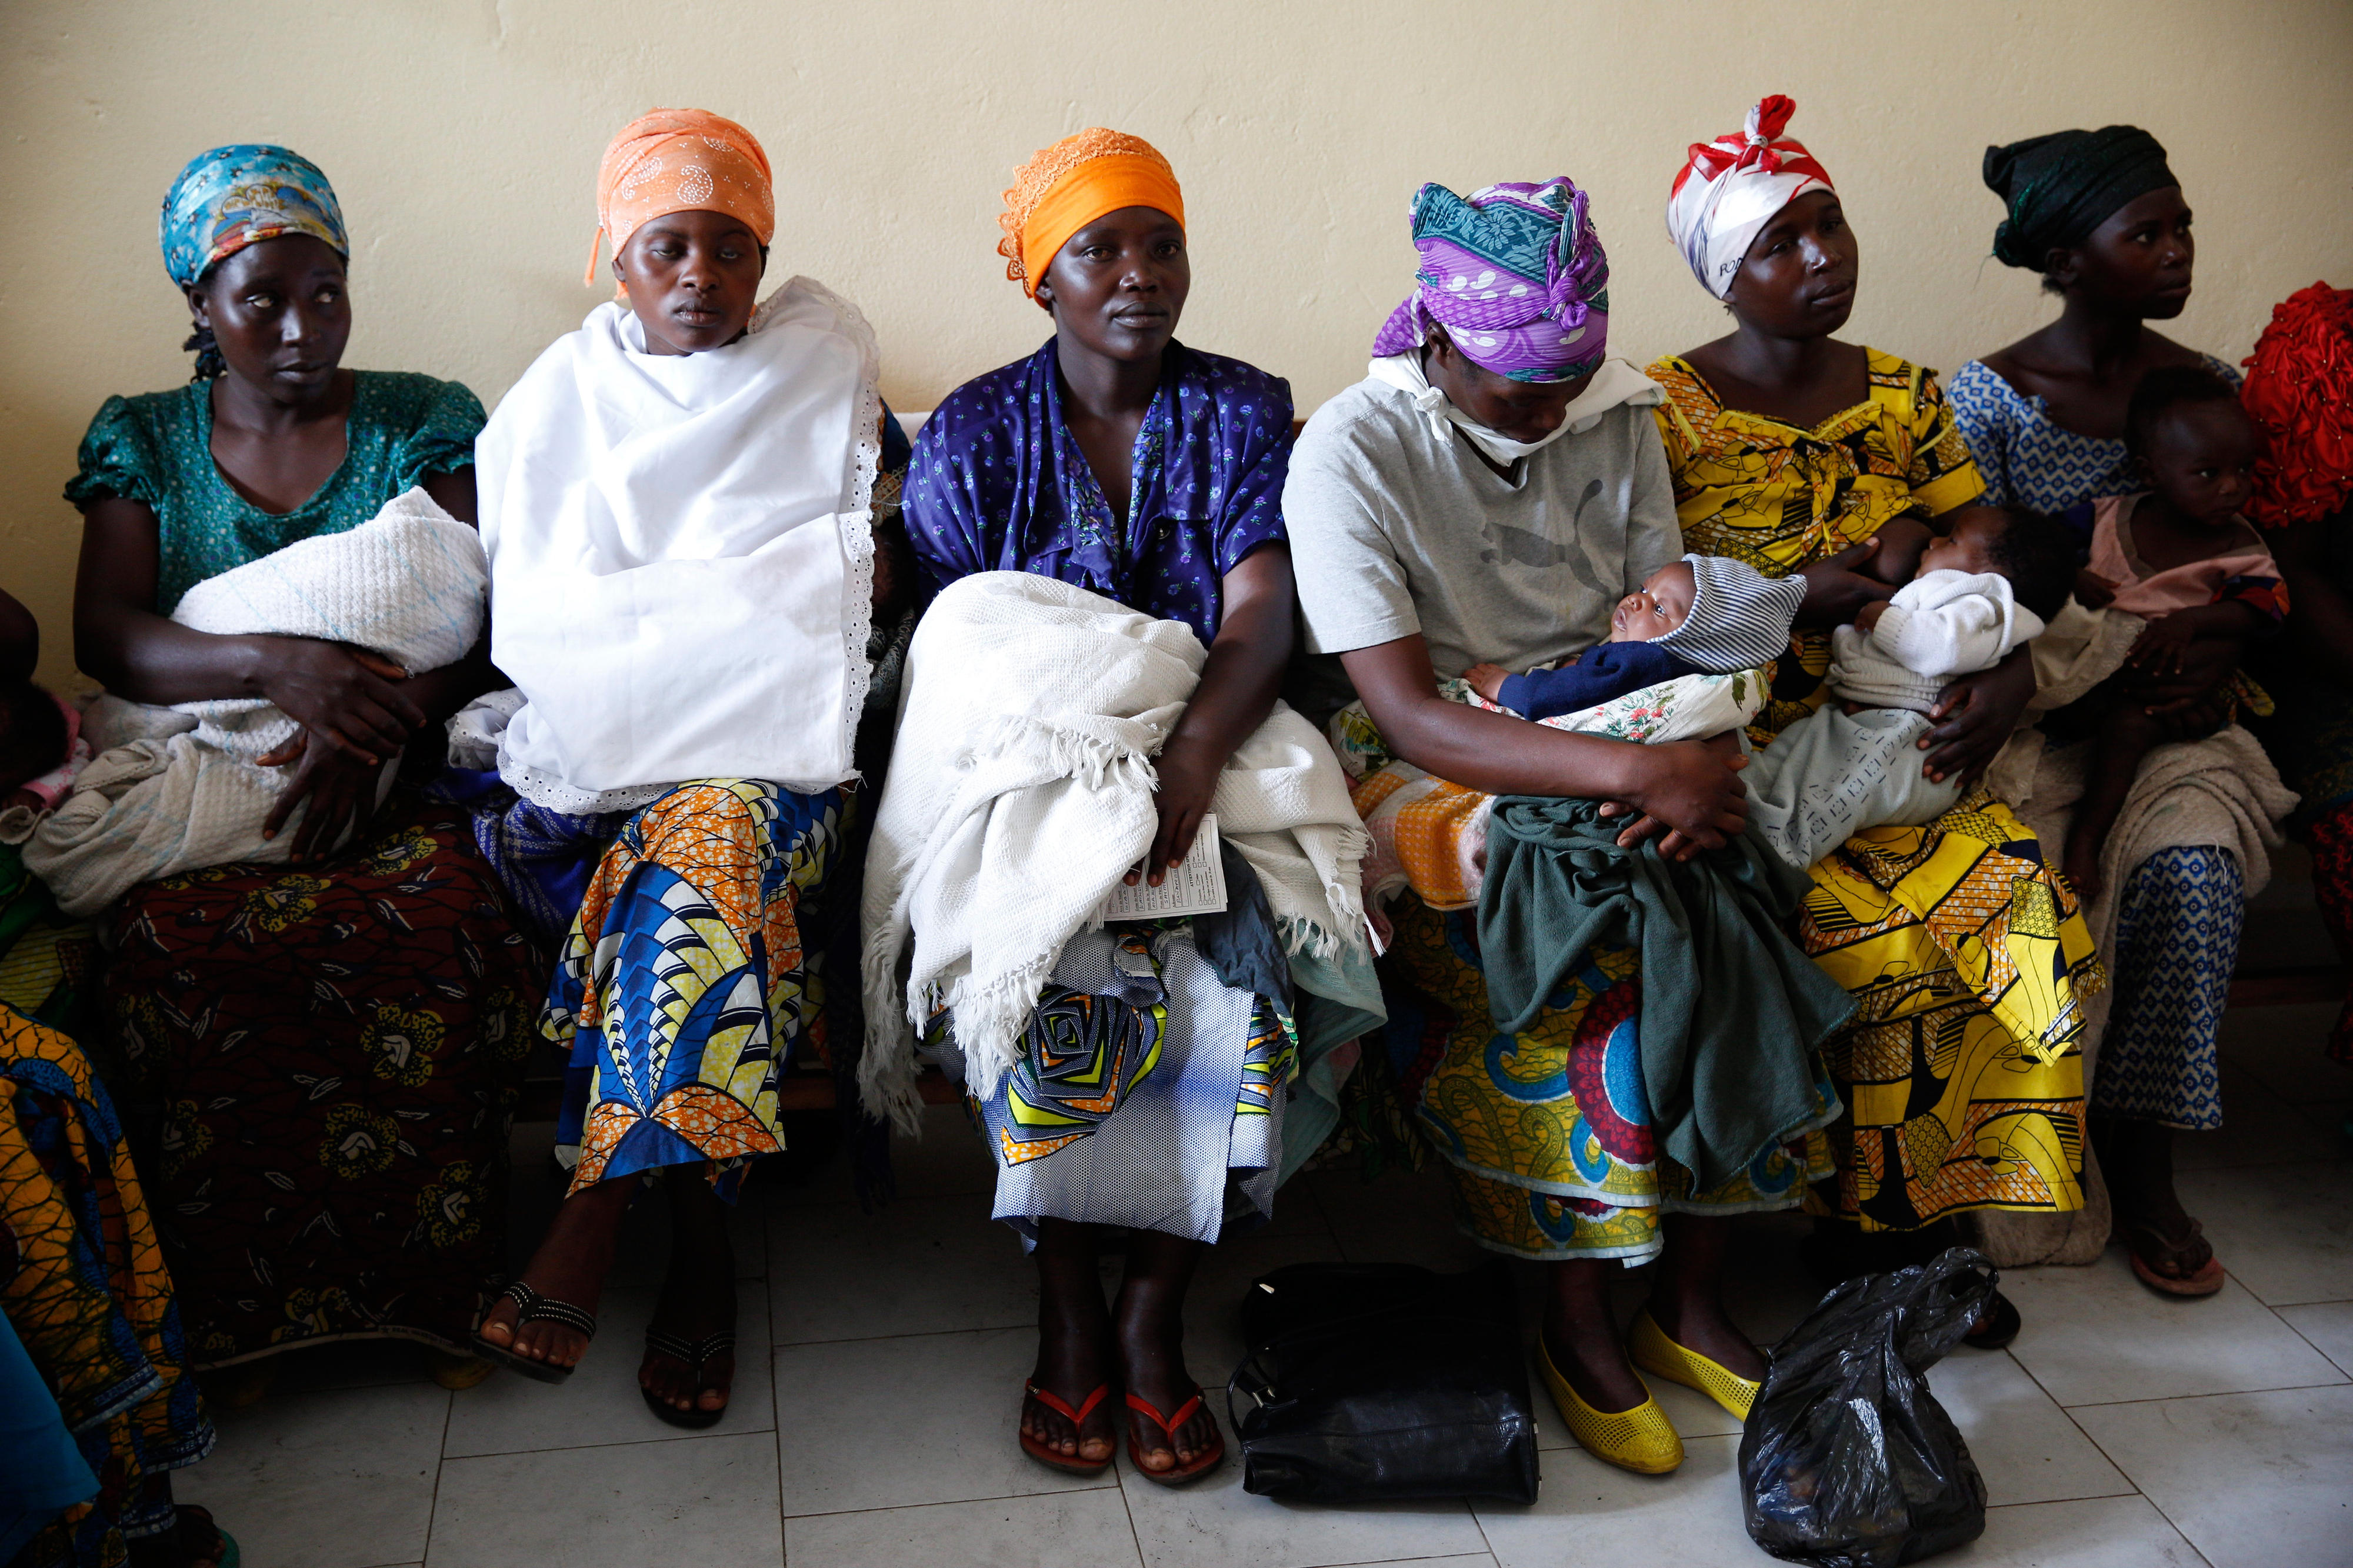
681 554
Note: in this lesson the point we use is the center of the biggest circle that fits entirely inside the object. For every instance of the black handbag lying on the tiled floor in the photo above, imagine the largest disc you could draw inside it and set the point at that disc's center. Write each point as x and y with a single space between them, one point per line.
1385 1381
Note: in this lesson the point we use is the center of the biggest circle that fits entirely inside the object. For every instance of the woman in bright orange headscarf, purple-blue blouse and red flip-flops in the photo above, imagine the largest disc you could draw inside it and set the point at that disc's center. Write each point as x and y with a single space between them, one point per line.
1152 474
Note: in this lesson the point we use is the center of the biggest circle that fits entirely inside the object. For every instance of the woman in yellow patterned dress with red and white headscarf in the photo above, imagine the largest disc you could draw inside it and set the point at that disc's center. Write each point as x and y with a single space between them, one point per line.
1801 453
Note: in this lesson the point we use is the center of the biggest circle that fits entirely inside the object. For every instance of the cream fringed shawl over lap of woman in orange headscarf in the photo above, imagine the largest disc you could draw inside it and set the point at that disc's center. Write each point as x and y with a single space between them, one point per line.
1022 790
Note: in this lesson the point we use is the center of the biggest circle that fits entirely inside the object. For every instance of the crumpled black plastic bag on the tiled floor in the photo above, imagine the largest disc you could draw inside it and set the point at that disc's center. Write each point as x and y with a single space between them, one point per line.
1848 1459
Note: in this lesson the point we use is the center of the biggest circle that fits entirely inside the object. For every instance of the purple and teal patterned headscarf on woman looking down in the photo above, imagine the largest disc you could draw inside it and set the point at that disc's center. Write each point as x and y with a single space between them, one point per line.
1514 274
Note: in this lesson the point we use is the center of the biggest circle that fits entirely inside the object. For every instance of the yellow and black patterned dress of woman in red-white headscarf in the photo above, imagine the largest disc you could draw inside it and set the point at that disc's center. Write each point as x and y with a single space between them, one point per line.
1966 952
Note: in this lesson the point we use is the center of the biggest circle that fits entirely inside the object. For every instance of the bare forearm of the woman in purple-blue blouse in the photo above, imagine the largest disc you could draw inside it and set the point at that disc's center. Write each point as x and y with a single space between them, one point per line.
1234 698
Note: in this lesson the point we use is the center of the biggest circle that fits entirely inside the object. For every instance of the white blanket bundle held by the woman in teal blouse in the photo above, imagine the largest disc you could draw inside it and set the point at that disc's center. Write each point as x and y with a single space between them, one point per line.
178 790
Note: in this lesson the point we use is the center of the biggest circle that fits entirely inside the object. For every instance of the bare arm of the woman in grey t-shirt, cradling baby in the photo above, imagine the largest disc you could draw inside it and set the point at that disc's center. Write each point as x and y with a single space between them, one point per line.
1688 788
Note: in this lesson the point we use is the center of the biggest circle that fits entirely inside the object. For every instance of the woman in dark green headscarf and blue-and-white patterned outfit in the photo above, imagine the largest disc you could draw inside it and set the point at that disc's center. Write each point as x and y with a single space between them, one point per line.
2100 215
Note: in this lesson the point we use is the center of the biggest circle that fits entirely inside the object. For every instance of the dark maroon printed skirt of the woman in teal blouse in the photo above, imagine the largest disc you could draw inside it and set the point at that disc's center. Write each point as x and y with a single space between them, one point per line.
338 1054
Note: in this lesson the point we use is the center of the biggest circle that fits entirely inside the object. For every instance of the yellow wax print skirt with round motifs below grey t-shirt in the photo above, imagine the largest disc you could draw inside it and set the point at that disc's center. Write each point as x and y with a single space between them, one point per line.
1547 1134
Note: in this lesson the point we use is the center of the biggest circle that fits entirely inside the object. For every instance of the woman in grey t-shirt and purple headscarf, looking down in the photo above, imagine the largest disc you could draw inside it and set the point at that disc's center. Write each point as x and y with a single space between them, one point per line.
1488 496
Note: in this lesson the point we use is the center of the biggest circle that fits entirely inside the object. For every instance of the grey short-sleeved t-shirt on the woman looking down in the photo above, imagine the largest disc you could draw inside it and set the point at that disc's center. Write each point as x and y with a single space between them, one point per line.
1397 531
